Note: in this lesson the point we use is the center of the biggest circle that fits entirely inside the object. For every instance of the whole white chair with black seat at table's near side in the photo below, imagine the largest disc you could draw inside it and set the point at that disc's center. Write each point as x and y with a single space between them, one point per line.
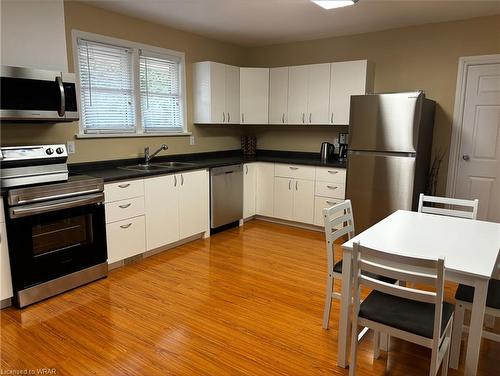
418 316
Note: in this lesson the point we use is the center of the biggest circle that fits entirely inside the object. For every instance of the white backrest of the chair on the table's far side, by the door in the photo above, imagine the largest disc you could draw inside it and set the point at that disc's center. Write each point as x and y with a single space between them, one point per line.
450 209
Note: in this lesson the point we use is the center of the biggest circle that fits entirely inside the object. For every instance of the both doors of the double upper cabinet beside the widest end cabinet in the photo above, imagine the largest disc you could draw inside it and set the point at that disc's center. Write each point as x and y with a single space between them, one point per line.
309 94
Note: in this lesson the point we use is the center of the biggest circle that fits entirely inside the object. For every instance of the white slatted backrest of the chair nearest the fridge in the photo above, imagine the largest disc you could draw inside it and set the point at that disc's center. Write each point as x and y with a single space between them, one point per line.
339 221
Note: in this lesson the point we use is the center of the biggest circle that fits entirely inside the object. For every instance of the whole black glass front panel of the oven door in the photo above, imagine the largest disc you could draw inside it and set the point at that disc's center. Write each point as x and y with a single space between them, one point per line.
50 245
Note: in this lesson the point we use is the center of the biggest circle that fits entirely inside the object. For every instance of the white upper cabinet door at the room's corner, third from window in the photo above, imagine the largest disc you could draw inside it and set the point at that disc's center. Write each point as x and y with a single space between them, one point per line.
254 95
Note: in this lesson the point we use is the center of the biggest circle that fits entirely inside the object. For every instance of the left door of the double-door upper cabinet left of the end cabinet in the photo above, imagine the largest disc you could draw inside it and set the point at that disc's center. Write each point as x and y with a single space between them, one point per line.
297 94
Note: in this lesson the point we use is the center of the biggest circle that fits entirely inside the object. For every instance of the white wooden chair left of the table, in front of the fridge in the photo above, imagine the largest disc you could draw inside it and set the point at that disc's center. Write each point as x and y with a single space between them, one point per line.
339 221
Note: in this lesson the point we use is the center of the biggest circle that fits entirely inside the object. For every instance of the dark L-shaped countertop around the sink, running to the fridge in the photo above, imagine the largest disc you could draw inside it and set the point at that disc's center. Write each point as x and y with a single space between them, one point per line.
110 171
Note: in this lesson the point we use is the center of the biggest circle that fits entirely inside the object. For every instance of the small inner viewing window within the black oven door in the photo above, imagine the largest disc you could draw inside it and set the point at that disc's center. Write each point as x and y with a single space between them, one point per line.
61 234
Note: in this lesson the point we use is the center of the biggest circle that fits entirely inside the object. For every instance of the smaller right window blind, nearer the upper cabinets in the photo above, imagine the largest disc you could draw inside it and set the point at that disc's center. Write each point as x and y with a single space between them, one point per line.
160 94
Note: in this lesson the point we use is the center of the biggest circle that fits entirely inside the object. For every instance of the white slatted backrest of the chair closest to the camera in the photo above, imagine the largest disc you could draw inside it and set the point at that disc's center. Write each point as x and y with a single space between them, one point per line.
421 271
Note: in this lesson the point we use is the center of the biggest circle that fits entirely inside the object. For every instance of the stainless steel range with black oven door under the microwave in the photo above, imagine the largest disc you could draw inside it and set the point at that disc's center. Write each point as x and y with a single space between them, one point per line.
55 223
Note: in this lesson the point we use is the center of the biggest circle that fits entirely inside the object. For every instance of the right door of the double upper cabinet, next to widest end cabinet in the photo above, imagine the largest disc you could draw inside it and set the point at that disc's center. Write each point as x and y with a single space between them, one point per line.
318 93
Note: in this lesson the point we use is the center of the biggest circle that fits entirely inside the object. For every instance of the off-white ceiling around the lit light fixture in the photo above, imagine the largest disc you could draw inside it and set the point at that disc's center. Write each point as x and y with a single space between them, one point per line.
261 22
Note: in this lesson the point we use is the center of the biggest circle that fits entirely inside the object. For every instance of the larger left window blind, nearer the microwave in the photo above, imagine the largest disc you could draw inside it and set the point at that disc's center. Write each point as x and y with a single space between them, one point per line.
106 88
